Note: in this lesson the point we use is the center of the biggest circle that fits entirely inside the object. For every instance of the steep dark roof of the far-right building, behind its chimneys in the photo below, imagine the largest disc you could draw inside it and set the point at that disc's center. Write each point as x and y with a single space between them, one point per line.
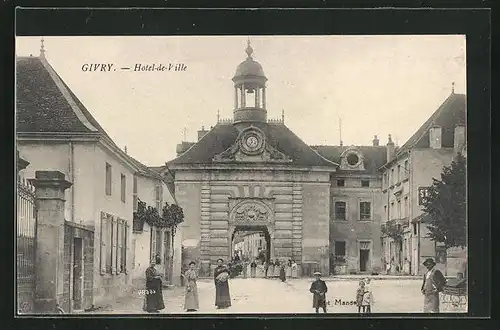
447 116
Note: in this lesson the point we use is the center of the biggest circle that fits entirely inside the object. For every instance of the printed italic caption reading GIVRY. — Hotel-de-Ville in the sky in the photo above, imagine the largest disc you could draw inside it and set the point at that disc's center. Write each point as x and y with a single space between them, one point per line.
138 67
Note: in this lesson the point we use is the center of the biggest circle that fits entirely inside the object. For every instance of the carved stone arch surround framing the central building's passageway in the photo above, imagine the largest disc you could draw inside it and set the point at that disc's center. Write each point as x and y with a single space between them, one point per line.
251 214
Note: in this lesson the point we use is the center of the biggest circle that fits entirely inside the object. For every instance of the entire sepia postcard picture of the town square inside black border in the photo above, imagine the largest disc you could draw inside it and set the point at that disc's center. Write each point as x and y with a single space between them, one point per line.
235 174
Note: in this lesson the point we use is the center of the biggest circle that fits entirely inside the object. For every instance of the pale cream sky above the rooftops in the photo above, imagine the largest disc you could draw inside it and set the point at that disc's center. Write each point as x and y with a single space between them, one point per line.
376 85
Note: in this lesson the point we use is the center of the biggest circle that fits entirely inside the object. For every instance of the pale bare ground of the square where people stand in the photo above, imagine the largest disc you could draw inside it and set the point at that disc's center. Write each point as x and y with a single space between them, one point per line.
263 296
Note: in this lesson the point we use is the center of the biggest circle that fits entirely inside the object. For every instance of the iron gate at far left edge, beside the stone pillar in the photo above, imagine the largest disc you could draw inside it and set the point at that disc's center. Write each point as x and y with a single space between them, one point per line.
26 245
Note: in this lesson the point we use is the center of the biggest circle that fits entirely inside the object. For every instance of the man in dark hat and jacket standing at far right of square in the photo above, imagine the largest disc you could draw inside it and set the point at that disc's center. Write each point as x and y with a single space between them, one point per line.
433 283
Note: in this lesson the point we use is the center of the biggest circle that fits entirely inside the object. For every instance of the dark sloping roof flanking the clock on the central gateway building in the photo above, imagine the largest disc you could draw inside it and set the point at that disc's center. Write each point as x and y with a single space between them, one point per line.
223 136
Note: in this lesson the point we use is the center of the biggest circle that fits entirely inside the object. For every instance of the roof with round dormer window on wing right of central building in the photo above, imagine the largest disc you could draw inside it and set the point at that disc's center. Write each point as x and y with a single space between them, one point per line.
373 156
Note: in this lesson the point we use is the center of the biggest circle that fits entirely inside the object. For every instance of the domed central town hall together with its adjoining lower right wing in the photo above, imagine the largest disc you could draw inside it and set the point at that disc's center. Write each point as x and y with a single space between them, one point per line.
318 205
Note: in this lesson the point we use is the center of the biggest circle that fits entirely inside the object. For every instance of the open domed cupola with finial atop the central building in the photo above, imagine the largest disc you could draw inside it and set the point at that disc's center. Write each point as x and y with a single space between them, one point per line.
249 91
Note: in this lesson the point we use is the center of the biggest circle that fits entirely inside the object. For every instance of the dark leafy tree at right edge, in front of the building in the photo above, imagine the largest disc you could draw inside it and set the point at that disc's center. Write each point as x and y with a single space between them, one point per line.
445 205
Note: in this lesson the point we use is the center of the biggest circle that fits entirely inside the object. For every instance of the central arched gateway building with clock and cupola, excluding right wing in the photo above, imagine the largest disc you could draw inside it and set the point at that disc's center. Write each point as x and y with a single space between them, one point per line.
249 173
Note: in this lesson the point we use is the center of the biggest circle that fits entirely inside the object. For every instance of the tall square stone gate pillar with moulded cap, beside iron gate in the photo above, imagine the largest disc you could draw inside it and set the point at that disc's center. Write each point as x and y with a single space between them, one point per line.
50 187
